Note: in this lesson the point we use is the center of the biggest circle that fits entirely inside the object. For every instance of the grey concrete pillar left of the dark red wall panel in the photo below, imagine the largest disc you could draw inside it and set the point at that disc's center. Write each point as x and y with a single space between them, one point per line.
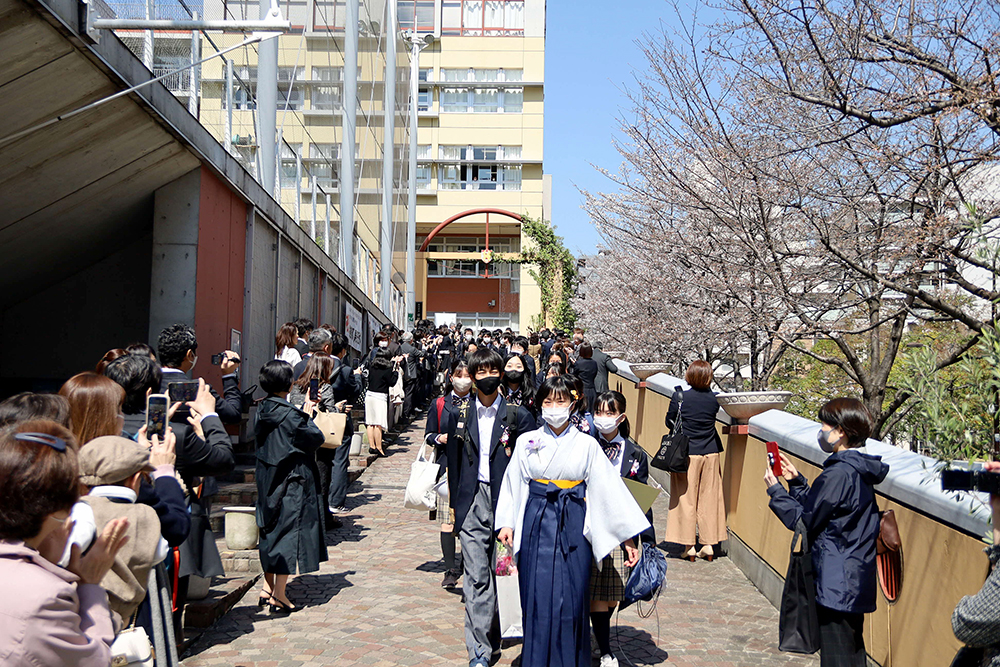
175 253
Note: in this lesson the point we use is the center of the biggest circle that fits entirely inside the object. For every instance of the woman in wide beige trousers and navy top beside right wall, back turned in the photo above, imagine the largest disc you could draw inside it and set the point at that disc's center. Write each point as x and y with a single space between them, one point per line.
697 512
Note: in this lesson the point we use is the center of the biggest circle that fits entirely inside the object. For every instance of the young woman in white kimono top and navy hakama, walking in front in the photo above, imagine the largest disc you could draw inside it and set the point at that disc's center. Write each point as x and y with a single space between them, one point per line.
562 505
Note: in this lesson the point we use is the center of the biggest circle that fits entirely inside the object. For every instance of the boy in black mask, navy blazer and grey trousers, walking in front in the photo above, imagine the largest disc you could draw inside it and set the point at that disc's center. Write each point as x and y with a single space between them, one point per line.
479 446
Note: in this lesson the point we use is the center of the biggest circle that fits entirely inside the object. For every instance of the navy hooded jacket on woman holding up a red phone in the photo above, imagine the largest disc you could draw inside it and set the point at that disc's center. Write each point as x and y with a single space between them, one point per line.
842 518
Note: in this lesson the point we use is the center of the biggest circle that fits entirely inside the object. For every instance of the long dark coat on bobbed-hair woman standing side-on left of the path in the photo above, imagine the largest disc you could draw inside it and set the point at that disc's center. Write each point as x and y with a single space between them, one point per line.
290 503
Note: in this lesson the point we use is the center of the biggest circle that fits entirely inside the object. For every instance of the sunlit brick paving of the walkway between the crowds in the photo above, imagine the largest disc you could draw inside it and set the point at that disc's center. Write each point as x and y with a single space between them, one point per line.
378 601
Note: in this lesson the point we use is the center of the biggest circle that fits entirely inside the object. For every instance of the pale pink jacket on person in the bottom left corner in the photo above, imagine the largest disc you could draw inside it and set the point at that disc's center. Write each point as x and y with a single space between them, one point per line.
46 617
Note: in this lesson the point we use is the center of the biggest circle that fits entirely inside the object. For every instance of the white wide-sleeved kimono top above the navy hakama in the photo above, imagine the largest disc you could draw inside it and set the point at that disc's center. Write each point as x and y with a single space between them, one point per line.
613 516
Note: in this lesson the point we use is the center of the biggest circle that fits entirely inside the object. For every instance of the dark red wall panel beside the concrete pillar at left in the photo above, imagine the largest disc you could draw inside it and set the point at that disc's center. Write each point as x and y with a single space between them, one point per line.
222 235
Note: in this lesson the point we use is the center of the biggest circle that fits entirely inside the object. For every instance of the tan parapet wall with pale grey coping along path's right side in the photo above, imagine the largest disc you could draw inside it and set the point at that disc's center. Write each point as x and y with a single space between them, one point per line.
943 556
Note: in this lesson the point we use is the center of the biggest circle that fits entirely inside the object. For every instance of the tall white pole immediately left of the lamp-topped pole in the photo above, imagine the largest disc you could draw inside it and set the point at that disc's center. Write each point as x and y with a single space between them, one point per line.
388 157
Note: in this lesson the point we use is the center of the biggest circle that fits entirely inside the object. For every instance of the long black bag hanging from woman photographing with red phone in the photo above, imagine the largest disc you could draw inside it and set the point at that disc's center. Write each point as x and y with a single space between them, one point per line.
798 624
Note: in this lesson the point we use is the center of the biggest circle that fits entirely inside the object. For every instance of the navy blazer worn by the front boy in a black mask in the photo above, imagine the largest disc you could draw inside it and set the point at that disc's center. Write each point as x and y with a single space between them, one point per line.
463 474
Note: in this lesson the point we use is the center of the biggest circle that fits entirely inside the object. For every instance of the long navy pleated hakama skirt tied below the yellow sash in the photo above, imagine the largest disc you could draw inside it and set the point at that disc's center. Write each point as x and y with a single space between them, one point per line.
554 568
